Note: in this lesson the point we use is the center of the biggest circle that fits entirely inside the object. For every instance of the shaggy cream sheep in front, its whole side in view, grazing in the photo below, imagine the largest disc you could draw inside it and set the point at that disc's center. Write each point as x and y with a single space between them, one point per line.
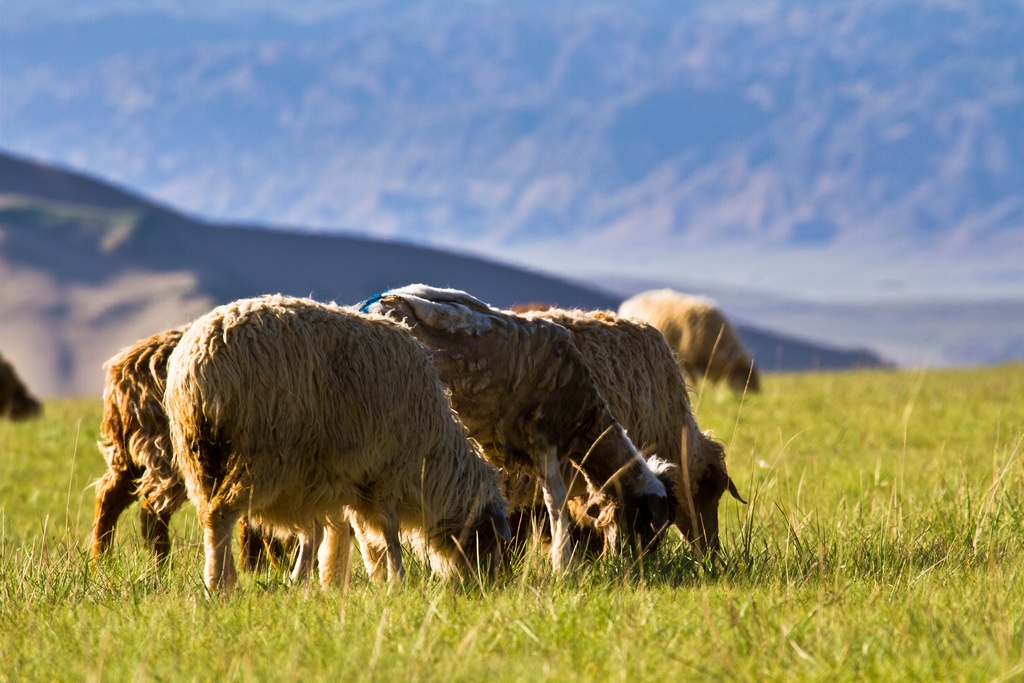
298 412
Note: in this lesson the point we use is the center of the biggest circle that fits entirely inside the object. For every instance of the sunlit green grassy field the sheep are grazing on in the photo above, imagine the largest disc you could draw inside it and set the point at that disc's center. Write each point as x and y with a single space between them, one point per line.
881 543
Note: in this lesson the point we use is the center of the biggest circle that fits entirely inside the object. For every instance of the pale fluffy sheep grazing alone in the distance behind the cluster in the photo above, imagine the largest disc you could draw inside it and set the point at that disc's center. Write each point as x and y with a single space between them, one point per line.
706 344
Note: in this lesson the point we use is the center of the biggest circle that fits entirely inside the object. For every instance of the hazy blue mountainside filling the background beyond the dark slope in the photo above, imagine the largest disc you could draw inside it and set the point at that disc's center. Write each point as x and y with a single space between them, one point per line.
813 150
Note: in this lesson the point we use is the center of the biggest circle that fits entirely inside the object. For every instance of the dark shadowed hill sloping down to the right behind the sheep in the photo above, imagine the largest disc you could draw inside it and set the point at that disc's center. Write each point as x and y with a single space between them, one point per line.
90 269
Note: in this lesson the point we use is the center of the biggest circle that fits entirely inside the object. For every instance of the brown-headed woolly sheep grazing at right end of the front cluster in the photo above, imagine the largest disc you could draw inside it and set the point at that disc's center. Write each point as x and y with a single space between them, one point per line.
637 374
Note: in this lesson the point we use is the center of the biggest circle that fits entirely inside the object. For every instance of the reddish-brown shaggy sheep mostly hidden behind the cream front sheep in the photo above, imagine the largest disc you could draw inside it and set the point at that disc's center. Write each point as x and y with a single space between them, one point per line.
136 444
